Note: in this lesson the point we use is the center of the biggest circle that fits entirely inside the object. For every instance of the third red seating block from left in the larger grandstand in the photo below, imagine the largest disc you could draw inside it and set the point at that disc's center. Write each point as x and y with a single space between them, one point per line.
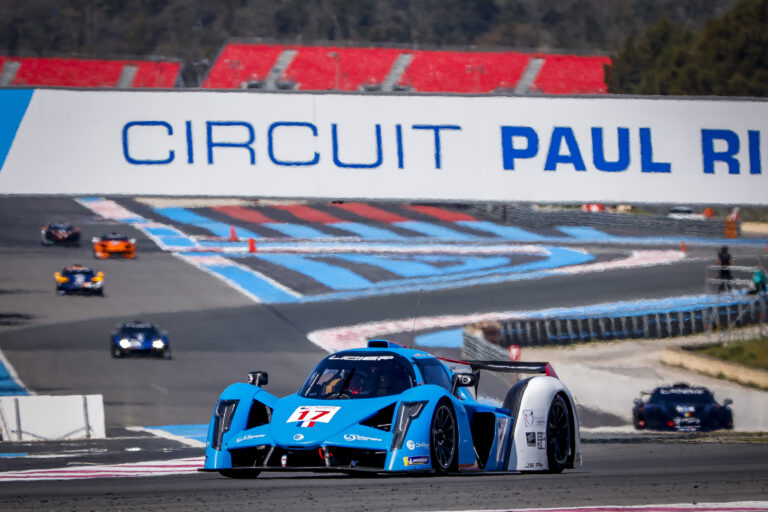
464 72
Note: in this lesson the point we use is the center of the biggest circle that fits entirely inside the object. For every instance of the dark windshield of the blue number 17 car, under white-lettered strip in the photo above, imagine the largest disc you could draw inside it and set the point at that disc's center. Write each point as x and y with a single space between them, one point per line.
359 375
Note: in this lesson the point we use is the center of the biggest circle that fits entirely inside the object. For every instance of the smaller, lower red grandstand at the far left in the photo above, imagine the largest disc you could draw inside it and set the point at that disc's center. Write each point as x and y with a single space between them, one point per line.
71 72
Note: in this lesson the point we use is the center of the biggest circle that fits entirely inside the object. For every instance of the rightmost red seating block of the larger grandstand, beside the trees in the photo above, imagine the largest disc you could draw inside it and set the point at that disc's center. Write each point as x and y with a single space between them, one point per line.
569 74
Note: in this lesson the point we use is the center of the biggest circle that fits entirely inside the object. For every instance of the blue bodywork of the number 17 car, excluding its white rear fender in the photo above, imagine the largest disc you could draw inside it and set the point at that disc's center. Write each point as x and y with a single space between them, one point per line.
369 429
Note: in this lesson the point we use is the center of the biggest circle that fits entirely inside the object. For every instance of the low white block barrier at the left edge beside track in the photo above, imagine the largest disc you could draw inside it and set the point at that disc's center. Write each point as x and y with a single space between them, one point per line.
48 418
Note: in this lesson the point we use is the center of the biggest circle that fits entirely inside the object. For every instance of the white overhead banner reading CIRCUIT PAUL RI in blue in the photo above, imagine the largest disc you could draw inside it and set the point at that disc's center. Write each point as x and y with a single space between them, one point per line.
384 146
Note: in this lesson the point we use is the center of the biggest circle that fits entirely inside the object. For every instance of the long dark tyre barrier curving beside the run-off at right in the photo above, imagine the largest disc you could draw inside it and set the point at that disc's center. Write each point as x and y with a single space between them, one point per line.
562 331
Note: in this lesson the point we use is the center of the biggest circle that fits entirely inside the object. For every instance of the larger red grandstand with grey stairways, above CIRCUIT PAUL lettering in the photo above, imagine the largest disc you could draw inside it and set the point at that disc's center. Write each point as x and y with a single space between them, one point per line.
328 68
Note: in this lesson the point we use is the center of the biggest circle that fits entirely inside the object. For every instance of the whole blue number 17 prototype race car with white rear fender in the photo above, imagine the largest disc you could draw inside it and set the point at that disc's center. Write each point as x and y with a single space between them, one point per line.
386 408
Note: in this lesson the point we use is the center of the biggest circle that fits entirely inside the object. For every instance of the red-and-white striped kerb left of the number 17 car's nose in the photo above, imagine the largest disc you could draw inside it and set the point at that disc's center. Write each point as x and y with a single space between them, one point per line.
132 469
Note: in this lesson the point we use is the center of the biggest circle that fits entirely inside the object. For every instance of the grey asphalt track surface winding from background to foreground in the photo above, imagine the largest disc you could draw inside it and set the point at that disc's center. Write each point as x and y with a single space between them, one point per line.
58 345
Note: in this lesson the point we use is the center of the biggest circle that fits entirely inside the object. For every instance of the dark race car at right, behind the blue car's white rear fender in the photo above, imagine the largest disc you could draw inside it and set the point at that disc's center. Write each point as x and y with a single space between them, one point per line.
682 408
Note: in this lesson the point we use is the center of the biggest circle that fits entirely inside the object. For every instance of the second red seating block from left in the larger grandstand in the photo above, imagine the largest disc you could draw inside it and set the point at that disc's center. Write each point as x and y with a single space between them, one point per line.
316 68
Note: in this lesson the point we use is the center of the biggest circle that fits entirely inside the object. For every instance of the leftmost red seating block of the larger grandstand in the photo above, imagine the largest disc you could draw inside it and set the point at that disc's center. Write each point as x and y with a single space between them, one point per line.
238 63
